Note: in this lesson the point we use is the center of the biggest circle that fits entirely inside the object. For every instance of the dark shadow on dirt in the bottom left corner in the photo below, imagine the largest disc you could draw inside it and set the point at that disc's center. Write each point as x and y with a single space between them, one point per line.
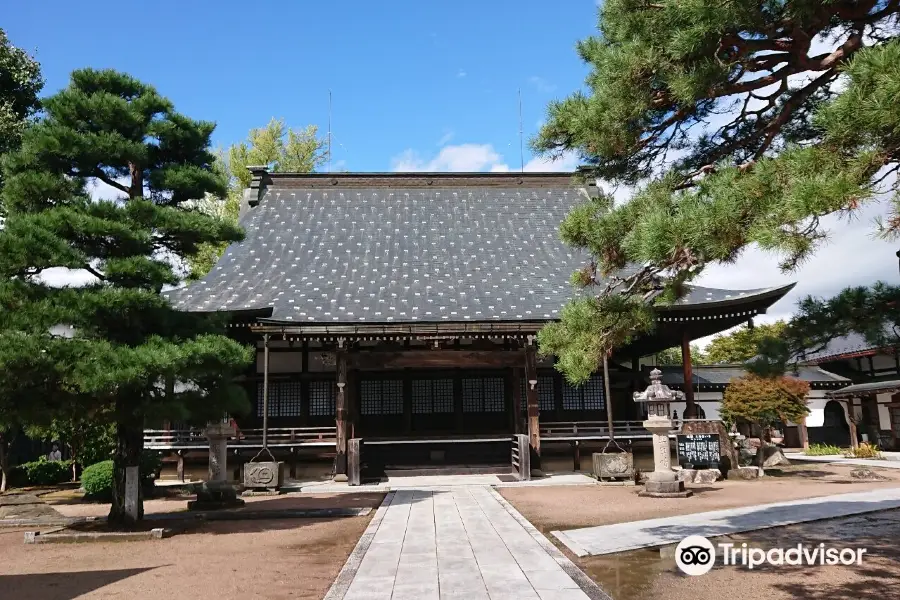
62 586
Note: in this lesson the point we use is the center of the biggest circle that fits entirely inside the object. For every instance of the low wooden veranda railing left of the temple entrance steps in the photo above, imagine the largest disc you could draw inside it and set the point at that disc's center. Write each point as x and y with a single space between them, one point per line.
278 437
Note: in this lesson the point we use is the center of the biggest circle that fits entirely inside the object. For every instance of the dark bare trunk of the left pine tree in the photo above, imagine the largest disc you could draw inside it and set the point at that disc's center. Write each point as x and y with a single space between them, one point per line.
129 445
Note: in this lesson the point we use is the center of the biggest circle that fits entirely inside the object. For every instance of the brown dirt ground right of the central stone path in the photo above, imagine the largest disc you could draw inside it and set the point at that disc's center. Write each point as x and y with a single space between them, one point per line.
645 574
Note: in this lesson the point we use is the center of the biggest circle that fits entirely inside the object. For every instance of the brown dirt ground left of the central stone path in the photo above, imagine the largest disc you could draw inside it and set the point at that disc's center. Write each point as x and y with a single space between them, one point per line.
259 559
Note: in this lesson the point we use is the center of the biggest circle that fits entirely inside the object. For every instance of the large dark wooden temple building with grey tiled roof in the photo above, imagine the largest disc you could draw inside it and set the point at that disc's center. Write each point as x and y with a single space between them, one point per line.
402 309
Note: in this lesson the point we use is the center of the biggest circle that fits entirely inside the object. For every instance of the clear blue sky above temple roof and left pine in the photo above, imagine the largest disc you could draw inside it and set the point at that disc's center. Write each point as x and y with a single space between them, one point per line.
409 78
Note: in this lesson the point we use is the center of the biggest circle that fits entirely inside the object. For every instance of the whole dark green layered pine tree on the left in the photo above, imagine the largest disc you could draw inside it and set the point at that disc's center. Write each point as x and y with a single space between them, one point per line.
128 345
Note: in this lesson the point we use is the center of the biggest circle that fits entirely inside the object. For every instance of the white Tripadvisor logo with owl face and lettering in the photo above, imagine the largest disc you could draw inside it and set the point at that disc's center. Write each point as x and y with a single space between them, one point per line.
696 555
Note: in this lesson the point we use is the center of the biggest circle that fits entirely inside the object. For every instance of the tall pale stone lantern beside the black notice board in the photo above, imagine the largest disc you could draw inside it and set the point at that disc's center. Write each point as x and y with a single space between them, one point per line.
663 482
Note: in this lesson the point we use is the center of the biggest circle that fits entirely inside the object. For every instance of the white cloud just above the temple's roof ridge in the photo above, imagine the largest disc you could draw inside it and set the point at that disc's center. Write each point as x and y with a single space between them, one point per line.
476 158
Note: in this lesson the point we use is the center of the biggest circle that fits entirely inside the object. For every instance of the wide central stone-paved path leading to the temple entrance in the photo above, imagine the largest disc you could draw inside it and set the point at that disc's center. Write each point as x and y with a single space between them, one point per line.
461 543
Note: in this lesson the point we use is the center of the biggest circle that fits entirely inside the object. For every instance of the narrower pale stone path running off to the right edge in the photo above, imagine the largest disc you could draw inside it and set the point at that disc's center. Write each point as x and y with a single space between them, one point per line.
621 537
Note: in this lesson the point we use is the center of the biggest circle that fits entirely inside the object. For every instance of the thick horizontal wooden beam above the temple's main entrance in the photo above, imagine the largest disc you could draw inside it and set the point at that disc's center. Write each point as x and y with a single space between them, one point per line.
436 359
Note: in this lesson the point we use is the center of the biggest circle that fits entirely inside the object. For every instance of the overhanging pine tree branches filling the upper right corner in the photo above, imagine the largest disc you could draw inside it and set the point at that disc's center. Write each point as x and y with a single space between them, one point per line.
735 128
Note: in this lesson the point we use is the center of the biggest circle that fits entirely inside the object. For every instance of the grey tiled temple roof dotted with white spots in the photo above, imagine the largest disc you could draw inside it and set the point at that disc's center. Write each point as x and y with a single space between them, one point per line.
393 254
